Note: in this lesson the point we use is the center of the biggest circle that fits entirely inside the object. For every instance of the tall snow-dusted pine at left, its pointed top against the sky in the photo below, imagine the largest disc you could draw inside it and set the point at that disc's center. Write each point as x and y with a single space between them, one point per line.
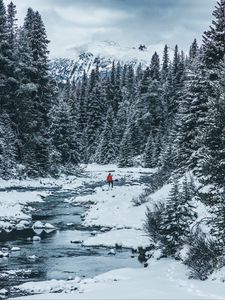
34 95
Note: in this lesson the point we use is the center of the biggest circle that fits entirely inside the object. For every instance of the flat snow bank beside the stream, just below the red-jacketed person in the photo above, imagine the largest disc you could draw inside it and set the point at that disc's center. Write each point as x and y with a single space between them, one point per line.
114 208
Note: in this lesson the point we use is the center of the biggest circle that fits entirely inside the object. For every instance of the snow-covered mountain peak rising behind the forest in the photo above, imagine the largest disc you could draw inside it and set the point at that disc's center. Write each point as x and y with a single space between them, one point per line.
86 57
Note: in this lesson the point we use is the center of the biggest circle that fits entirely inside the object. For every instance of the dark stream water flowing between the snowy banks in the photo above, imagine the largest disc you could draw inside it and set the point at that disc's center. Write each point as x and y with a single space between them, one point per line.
56 256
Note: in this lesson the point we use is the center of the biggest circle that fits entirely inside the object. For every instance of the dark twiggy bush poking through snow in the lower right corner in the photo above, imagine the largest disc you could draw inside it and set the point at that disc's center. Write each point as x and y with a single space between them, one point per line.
203 257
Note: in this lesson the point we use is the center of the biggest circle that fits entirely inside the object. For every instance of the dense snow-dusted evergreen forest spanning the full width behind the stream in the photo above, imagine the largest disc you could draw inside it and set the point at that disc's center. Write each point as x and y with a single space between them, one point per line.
169 115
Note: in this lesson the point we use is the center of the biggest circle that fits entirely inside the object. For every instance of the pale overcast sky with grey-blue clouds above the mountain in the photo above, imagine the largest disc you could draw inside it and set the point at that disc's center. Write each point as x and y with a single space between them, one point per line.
71 23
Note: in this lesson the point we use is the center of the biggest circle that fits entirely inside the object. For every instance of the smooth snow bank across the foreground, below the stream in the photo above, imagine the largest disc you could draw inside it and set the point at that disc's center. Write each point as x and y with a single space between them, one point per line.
164 279
